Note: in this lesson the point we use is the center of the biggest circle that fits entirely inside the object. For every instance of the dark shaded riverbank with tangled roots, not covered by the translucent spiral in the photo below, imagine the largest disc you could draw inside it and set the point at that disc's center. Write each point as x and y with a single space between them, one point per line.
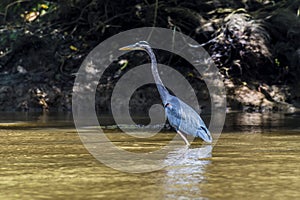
254 44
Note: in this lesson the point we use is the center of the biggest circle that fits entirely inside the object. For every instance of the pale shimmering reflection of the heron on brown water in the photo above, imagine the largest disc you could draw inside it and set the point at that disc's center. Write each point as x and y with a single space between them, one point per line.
184 175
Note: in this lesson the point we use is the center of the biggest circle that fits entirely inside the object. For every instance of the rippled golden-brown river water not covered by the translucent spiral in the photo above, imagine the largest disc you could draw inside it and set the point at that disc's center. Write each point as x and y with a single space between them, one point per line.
41 161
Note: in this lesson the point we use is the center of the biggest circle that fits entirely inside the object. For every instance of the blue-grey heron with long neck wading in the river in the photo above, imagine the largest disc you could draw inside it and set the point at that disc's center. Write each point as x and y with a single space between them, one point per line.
183 118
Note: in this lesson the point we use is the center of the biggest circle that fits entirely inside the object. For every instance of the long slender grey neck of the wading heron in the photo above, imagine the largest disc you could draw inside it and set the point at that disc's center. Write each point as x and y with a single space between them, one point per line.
160 86
